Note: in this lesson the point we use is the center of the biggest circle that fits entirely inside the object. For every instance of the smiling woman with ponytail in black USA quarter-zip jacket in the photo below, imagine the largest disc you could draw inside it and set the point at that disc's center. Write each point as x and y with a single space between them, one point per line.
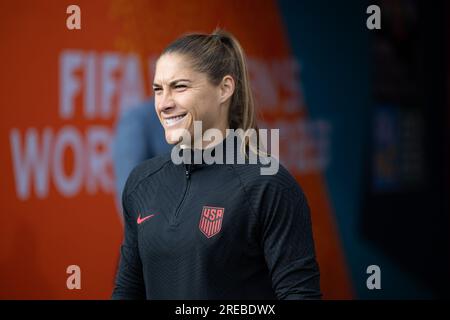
212 231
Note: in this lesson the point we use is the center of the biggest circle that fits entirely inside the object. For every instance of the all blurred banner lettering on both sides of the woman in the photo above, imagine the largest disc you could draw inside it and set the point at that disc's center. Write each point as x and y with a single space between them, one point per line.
100 86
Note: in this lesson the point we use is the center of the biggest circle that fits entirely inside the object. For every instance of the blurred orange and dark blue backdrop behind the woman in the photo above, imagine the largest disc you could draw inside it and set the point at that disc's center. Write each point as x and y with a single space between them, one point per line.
363 119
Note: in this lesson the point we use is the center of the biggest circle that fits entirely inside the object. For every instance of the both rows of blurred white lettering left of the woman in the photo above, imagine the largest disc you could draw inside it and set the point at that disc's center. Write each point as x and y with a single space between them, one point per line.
106 85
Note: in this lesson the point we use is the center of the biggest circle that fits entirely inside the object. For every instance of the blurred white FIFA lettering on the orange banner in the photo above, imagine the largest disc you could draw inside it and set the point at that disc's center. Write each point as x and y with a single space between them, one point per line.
120 87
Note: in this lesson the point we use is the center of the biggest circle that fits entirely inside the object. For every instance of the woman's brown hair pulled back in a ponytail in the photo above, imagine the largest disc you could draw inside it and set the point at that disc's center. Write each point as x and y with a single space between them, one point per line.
219 54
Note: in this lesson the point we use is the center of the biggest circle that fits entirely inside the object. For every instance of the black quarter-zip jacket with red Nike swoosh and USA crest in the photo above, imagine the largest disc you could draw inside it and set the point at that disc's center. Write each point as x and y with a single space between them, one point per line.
218 231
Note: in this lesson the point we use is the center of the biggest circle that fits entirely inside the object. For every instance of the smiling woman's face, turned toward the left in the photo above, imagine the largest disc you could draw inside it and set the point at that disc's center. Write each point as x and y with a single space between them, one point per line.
183 95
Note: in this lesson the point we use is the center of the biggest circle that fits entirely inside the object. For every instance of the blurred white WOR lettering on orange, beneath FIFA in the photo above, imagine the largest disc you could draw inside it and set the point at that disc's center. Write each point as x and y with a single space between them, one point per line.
41 157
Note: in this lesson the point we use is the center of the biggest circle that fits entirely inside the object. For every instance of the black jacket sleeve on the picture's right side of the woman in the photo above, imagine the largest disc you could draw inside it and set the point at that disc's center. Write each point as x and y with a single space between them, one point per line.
289 246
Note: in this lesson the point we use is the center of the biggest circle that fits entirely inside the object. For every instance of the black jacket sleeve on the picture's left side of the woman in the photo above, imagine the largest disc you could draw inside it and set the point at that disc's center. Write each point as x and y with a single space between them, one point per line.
129 278
